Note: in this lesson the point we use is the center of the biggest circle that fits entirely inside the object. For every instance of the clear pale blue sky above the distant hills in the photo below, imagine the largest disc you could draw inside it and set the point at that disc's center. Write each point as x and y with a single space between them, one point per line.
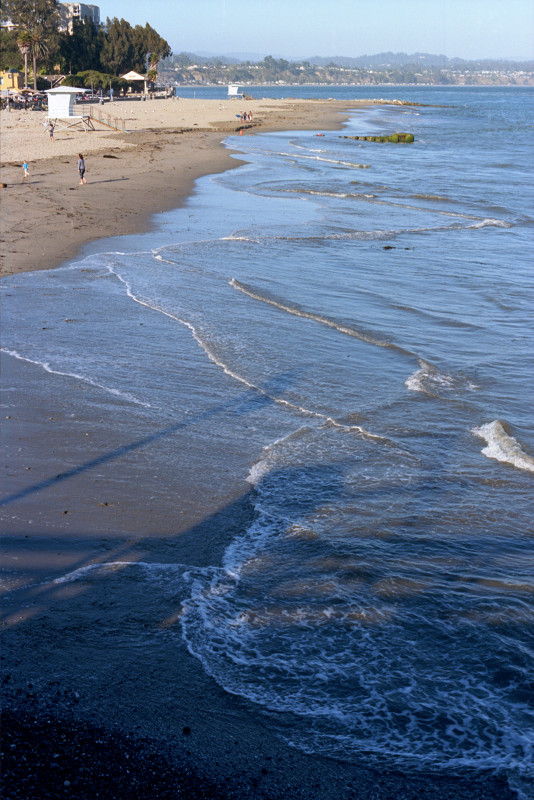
301 28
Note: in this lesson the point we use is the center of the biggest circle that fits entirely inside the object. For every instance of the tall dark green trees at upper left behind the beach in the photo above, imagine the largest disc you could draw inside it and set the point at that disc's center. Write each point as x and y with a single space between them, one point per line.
109 49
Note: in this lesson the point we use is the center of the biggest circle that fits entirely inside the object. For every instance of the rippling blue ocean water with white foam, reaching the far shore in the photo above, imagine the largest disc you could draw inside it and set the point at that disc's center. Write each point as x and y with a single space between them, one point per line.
350 323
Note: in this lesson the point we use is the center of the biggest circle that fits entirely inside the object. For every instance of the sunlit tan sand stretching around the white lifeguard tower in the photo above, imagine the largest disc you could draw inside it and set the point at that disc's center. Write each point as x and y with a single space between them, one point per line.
131 175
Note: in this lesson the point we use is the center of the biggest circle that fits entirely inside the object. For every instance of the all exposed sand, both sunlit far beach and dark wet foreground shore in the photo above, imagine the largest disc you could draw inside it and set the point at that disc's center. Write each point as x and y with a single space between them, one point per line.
88 711
